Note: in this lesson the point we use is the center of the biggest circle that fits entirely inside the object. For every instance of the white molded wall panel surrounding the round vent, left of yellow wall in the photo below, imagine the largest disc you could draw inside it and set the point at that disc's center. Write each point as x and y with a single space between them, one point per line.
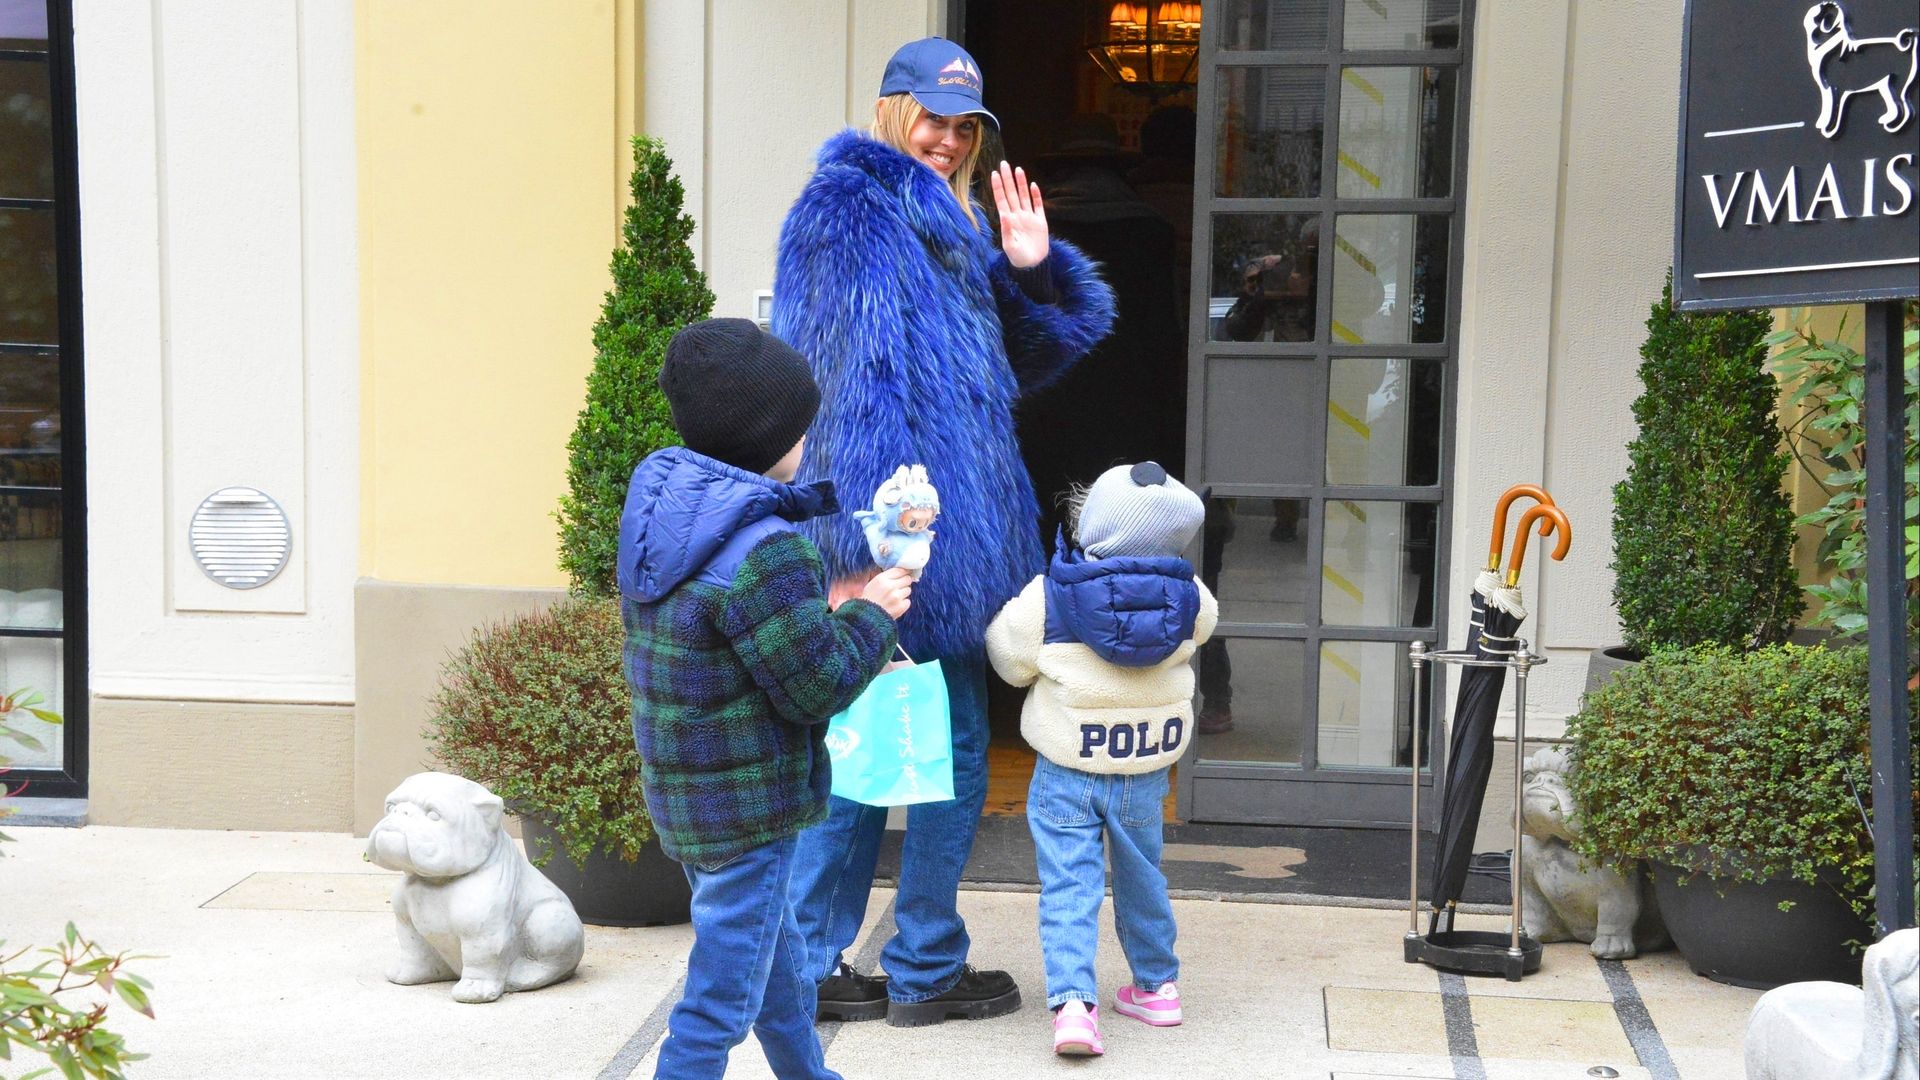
218 235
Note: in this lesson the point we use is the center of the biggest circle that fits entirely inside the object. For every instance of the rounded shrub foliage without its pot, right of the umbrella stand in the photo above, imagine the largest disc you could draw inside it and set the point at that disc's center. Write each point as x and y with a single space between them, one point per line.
1746 766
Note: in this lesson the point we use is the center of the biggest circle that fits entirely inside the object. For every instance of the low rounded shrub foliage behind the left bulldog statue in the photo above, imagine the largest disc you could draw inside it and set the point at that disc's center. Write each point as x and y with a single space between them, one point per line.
539 710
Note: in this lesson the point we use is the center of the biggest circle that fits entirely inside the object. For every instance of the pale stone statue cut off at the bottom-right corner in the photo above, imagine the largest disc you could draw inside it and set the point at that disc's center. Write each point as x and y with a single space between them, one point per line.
1844 1033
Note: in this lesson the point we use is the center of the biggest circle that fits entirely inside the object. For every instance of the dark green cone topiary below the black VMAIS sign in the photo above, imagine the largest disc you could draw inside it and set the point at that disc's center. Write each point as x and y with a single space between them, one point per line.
1702 526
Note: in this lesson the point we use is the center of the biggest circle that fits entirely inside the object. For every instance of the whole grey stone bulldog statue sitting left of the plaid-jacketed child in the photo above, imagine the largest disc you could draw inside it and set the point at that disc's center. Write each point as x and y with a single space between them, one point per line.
471 906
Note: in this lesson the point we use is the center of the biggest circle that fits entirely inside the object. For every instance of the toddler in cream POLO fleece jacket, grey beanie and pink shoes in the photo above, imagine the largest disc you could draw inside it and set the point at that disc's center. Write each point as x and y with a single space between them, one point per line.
1105 643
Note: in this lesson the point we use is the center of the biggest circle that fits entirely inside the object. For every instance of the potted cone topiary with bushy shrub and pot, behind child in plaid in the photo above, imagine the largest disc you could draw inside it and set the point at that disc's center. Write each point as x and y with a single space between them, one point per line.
539 708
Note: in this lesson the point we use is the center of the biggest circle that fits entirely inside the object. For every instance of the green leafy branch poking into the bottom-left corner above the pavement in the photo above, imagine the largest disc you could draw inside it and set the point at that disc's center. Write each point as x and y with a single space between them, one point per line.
47 1008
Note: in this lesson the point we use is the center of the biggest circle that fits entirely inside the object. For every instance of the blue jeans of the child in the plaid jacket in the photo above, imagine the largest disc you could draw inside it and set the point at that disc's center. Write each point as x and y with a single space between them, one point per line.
744 971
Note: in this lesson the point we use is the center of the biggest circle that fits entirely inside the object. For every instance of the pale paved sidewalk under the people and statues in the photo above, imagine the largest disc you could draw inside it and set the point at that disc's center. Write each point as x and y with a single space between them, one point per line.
272 950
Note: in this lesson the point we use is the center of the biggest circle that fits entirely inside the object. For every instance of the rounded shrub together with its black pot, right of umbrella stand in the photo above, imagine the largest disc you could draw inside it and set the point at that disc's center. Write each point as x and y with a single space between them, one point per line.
1740 779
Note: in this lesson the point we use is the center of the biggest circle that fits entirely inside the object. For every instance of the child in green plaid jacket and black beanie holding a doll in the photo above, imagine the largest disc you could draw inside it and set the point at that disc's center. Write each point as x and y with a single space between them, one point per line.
736 664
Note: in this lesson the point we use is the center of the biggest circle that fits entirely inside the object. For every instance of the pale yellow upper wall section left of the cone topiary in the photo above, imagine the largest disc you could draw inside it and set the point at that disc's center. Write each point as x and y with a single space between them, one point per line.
492 166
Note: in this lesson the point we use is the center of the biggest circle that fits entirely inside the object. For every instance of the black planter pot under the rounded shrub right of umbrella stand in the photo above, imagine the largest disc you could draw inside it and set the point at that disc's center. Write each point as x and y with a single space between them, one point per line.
1744 939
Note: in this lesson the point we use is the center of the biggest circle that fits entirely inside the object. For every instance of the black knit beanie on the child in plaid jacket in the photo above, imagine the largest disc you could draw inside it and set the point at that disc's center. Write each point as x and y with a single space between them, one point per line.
738 393
